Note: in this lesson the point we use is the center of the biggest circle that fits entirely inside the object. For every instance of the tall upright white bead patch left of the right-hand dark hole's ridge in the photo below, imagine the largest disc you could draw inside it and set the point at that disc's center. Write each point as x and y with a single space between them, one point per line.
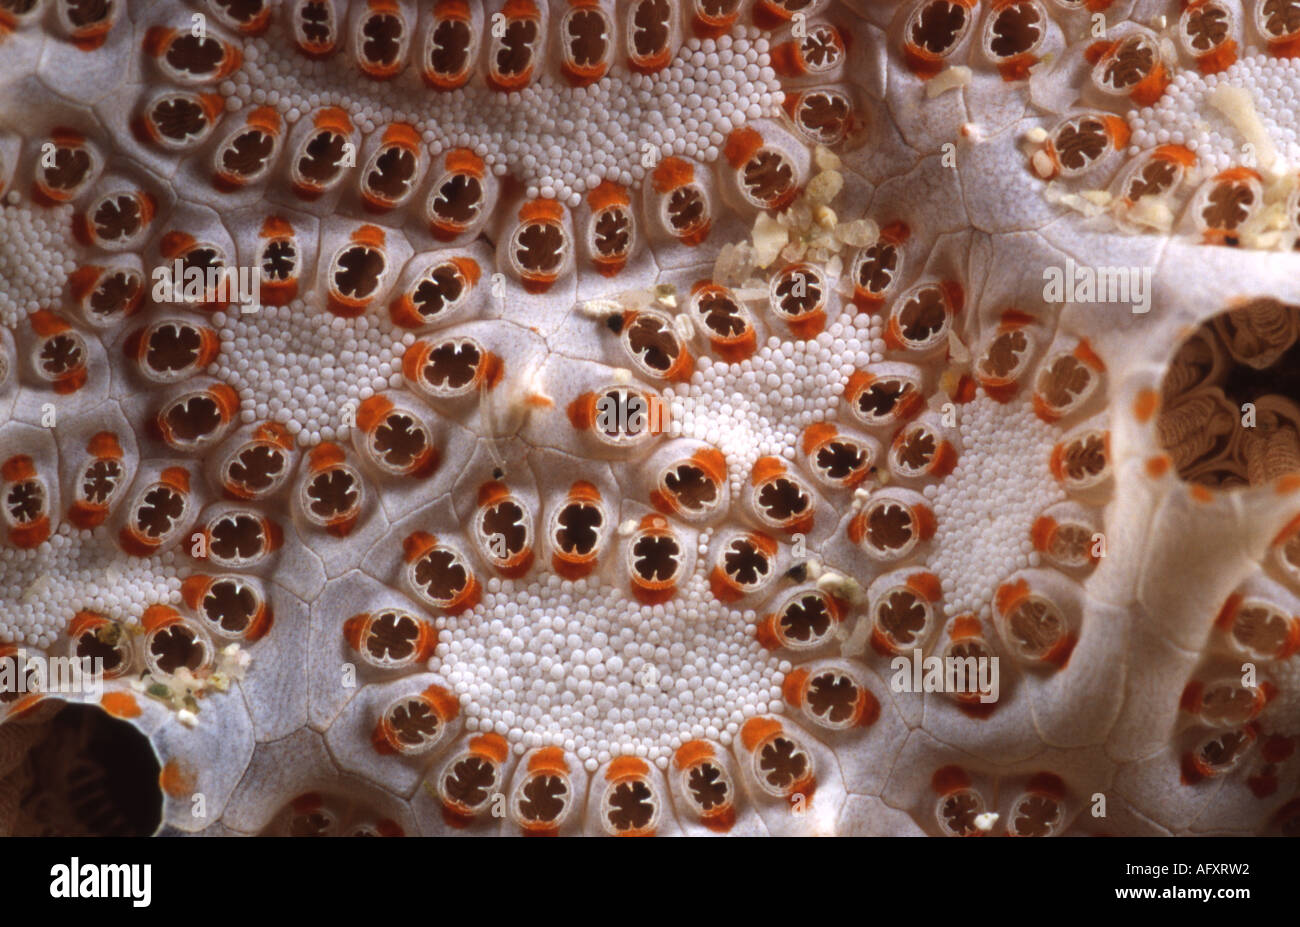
987 506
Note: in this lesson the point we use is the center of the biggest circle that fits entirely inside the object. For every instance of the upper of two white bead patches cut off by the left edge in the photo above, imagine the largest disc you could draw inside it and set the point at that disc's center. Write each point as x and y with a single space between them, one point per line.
36 258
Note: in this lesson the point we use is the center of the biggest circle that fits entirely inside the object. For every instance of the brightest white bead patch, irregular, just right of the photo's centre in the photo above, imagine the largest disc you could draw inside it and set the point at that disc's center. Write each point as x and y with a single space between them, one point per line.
760 406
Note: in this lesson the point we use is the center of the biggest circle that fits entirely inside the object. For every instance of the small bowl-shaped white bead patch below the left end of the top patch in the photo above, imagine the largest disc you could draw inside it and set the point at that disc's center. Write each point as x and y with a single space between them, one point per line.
302 367
